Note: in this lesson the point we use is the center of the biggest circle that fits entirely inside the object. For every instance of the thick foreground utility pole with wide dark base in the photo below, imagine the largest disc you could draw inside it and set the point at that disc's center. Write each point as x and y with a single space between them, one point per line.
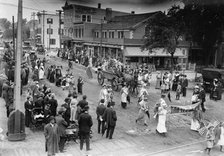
16 122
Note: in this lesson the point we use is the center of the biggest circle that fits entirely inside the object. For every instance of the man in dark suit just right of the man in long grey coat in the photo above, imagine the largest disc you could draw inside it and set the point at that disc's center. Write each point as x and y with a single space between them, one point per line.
62 124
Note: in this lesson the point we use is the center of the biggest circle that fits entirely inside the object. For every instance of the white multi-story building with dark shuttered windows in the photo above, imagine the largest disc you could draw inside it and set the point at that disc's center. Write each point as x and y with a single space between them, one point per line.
48 32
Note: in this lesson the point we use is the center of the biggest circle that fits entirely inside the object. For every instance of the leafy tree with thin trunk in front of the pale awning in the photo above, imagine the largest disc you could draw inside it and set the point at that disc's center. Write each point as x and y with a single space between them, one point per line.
165 31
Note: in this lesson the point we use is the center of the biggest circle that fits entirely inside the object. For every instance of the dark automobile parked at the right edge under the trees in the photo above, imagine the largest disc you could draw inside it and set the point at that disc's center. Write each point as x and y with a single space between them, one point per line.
209 74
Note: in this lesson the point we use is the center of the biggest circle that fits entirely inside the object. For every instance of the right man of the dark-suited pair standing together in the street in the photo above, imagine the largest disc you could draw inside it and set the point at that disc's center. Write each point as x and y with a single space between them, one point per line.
110 118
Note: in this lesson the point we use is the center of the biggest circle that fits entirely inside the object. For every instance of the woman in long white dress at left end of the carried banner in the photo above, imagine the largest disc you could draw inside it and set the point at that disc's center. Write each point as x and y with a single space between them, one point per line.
161 126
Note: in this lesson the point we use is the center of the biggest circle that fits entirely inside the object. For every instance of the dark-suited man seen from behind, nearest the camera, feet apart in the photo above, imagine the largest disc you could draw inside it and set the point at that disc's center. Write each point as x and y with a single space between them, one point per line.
85 123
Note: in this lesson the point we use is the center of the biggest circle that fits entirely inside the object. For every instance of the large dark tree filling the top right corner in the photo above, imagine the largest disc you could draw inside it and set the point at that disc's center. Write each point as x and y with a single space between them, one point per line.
204 22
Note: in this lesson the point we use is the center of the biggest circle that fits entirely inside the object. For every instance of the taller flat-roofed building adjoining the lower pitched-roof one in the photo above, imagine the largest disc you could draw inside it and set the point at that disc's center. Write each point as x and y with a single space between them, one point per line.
80 22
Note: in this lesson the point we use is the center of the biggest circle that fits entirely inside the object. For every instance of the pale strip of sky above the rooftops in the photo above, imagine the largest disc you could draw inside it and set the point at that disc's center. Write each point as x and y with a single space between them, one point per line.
9 8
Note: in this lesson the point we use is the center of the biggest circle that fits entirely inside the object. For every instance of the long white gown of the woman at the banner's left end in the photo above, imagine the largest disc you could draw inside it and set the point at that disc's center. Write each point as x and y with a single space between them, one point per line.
161 126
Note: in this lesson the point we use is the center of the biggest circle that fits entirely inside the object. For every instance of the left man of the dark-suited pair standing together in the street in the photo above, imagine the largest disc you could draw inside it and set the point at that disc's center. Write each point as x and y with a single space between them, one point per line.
99 112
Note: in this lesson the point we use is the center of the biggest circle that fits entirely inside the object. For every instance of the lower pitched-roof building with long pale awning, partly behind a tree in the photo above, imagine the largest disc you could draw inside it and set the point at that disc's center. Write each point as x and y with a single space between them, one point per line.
124 36
